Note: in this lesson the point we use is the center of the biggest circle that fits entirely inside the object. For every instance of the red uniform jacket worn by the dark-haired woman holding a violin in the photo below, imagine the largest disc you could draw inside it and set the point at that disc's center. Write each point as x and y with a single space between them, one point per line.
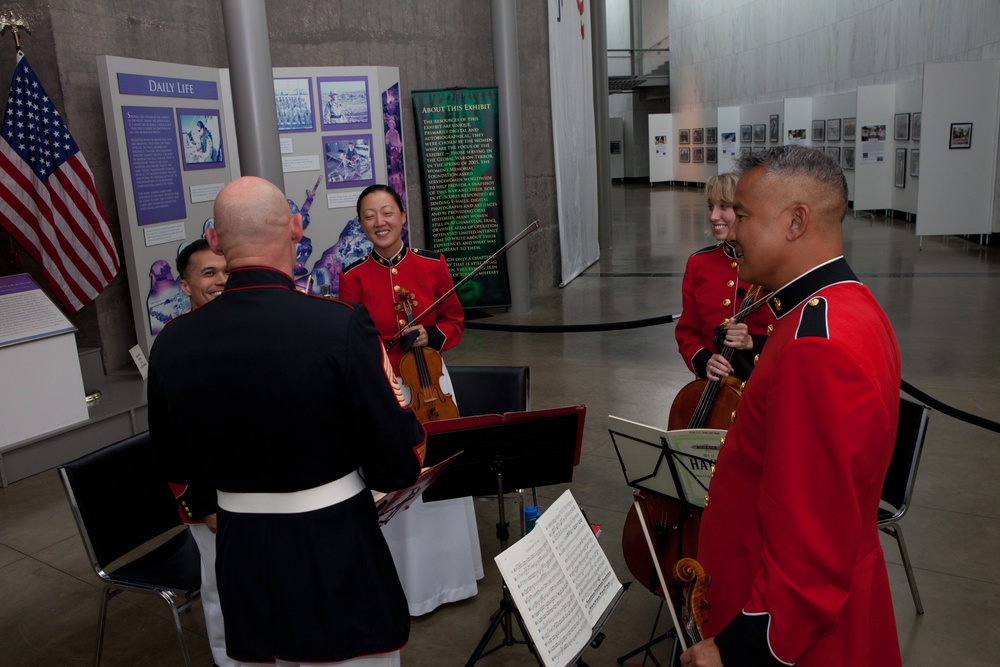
373 280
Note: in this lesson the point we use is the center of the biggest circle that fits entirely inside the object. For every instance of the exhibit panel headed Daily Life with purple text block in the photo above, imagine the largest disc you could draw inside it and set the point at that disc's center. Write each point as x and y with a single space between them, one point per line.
172 149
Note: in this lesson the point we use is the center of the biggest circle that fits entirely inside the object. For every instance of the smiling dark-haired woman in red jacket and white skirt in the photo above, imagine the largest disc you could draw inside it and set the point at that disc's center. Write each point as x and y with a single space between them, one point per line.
435 545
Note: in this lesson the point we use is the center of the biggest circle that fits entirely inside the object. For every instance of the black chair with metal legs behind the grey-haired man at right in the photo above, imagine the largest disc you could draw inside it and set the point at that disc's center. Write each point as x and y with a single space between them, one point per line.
898 485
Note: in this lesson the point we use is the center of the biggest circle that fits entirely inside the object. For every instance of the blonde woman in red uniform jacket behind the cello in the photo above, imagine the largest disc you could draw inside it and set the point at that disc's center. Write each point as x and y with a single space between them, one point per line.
713 293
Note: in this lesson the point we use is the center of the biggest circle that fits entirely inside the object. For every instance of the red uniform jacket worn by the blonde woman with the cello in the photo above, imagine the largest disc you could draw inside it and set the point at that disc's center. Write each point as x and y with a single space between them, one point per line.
710 295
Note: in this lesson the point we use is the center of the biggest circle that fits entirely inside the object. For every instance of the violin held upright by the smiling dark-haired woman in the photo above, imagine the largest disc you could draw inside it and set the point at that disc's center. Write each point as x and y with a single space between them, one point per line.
421 369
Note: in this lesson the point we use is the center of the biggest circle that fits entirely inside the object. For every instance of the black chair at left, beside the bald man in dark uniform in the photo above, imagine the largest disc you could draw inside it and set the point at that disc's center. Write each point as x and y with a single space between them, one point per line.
120 503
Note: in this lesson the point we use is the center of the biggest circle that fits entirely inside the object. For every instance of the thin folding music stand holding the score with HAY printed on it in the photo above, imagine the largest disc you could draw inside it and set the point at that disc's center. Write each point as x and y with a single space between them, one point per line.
650 463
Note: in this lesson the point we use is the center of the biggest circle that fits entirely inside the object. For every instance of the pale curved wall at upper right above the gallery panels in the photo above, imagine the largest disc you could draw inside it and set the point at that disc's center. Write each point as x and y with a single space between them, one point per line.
735 52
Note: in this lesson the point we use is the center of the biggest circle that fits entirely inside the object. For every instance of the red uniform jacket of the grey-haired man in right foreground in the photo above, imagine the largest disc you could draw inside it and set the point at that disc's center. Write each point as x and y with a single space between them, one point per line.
789 531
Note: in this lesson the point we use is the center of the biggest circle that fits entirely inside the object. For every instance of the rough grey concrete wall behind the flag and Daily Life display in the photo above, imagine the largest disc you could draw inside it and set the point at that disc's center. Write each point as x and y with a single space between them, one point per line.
435 44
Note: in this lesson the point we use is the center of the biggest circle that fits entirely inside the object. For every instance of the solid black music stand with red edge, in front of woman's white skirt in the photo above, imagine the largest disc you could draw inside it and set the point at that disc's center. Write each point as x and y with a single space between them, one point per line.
503 453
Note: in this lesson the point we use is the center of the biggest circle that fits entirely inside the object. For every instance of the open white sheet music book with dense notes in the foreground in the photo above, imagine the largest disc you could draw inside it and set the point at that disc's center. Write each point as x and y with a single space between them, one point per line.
560 581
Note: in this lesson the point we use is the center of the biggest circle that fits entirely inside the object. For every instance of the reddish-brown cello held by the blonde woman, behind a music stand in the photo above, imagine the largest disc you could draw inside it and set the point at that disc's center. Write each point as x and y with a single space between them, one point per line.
701 403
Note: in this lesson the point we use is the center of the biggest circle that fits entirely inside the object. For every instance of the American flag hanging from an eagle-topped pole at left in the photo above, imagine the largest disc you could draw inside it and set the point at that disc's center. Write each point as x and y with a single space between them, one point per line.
49 203
